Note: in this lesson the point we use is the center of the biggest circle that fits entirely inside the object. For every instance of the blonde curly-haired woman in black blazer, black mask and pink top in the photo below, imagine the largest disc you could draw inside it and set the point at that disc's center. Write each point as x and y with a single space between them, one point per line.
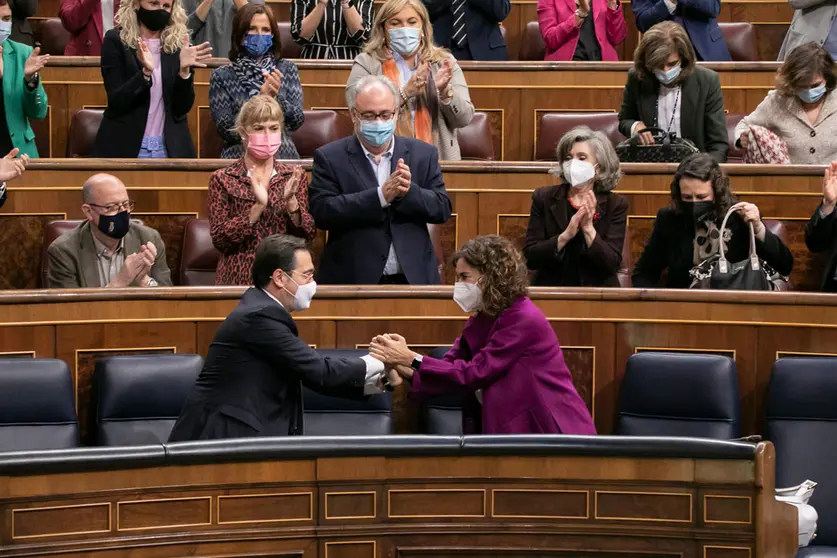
147 69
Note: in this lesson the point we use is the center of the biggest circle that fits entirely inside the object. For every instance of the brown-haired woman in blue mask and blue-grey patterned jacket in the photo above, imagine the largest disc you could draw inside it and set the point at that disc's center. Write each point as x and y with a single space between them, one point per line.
257 68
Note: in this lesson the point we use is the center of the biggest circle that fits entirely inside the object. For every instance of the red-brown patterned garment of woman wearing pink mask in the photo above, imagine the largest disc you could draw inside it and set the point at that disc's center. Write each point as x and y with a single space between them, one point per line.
230 200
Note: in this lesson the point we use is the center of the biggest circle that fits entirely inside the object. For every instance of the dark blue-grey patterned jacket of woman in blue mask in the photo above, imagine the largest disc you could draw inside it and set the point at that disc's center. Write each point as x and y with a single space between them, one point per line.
227 94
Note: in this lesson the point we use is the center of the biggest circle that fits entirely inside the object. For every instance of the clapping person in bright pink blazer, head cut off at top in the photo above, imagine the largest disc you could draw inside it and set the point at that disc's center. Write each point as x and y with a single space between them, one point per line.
573 31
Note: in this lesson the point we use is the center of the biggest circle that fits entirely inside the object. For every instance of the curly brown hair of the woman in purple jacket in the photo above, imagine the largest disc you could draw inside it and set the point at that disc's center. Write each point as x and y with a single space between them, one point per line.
504 274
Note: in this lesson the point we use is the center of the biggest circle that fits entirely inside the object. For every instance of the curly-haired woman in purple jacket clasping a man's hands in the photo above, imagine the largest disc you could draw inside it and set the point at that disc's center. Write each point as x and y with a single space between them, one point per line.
508 353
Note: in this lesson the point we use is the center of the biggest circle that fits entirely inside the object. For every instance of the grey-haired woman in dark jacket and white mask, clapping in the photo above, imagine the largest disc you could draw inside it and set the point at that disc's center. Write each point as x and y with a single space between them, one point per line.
577 228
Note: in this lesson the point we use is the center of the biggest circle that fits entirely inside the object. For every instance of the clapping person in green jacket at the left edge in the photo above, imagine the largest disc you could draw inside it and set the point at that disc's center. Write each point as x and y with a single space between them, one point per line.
23 95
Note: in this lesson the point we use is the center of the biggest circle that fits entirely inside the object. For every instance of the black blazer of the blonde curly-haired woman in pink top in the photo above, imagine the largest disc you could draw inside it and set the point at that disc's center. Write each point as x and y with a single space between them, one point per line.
129 96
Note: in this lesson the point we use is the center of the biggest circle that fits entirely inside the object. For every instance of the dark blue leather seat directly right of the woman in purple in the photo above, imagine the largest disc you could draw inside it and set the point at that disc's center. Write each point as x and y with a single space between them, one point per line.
680 394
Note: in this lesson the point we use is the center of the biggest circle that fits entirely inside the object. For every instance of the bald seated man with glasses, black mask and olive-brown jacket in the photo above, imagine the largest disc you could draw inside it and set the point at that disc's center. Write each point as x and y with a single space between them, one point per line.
107 249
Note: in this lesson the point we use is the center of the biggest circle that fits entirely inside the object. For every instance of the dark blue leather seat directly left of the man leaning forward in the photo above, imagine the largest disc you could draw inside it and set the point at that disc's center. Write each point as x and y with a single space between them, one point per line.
136 399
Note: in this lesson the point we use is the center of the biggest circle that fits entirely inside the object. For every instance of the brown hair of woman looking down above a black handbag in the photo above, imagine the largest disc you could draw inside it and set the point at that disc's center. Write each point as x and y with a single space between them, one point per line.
660 42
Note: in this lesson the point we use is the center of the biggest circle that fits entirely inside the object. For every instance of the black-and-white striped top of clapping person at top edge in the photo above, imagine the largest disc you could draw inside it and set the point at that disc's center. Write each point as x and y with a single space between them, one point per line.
332 40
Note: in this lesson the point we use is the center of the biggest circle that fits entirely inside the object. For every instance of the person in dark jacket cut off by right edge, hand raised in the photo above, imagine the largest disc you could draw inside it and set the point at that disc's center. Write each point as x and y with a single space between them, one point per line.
821 232
